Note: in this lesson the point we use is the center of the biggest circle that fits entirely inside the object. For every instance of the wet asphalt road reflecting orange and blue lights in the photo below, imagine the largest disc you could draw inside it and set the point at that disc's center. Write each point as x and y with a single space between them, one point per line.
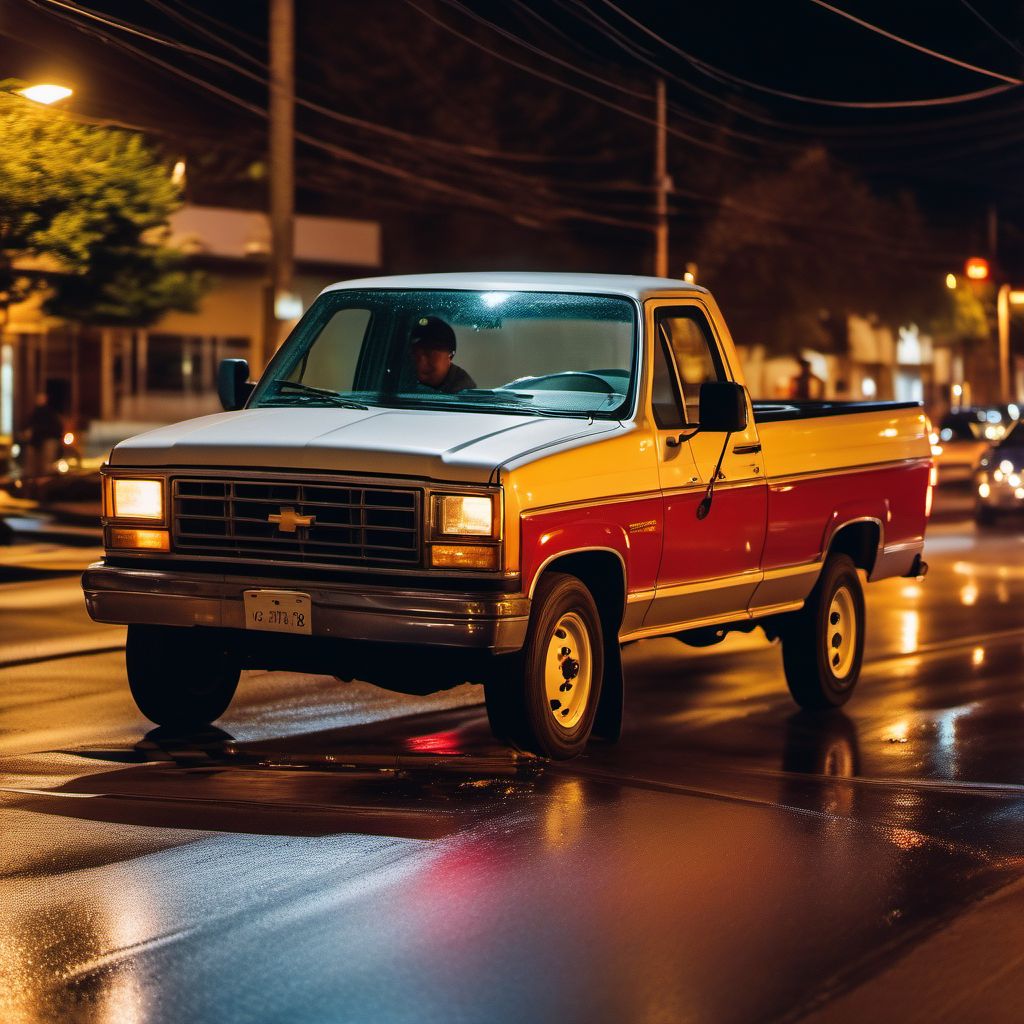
333 852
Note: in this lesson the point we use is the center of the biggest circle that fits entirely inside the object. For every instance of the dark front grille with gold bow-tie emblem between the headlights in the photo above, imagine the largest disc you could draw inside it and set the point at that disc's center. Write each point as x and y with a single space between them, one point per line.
356 525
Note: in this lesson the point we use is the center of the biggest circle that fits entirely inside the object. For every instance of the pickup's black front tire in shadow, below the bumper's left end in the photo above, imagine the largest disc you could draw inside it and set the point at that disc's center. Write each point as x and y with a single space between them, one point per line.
182 678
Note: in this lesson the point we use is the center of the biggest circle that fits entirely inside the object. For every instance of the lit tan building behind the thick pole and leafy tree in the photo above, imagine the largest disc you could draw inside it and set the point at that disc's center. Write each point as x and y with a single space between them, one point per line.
111 382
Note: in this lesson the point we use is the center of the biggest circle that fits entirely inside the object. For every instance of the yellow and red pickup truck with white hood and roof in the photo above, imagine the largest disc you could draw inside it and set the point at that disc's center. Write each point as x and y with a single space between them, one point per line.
581 468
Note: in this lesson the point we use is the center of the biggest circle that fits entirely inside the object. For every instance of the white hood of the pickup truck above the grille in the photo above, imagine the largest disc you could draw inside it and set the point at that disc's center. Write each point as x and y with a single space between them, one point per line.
428 445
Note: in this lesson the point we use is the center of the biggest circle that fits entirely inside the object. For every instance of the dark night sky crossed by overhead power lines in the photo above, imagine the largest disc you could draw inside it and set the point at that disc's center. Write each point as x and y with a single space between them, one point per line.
577 103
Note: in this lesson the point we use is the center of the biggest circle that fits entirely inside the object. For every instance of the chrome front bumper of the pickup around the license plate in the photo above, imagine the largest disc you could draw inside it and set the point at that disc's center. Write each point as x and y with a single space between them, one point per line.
483 622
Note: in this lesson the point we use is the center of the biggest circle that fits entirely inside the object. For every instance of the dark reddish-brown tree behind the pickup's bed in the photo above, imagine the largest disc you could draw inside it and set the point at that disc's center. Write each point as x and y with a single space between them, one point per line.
800 247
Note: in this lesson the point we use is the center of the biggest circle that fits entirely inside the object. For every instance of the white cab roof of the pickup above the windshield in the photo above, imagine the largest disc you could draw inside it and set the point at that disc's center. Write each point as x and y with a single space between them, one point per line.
585 284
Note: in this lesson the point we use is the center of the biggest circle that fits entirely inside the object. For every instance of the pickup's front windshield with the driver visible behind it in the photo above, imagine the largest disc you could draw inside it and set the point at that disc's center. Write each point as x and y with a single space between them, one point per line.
527 353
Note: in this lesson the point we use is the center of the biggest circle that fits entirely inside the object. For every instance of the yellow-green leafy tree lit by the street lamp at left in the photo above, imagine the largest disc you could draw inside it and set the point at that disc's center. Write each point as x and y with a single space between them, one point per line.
88 207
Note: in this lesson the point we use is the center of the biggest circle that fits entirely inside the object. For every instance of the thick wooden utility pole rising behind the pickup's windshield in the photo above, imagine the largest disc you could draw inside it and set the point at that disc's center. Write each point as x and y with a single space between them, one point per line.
282 172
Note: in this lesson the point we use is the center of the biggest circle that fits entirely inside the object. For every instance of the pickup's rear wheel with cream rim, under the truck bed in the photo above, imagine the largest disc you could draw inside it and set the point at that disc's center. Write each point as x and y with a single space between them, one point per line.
824 644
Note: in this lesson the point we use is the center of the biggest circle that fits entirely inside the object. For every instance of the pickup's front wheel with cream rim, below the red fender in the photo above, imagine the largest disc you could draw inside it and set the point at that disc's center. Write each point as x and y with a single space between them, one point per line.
544 700
